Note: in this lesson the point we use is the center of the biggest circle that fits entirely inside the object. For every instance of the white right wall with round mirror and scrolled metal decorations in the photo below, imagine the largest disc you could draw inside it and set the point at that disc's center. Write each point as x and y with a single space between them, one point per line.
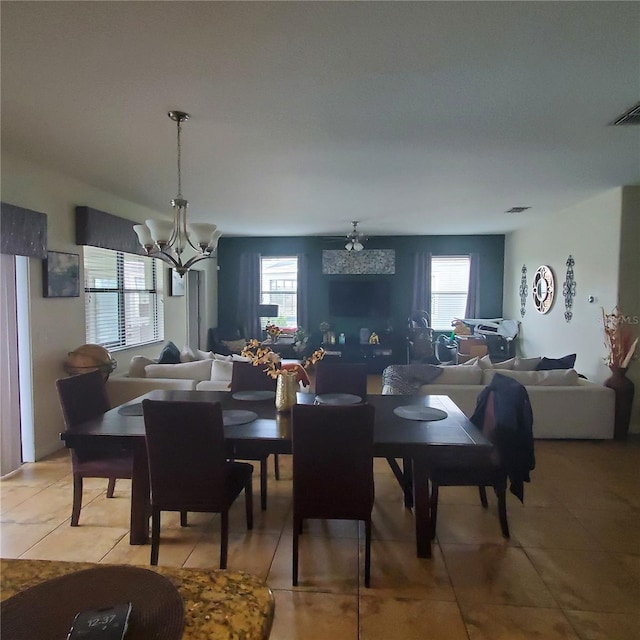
591 233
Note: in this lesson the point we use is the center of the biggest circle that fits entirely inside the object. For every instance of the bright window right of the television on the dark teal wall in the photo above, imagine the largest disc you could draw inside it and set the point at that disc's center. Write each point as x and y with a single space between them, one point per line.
449 289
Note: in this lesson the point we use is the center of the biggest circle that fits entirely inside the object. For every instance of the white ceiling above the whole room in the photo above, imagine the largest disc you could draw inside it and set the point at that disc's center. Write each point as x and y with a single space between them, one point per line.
412 117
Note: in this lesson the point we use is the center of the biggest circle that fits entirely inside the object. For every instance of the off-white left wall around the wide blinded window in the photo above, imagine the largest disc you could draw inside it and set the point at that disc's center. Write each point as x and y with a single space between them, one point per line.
57 324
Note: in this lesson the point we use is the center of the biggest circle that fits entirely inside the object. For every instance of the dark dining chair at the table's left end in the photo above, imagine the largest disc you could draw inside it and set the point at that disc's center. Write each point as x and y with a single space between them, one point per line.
82 398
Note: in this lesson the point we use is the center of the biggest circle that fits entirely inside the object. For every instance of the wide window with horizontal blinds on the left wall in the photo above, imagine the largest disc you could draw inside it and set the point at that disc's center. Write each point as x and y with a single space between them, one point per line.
122 303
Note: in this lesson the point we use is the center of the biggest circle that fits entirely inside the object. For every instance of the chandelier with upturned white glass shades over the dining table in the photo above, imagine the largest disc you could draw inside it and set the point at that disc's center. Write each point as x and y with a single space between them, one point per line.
168 240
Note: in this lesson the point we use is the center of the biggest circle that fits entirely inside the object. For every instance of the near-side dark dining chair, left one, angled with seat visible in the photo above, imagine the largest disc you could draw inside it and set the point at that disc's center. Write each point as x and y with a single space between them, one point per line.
188 466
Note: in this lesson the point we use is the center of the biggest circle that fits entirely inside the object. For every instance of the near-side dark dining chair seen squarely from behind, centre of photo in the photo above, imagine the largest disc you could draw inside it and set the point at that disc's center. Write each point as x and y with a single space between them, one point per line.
332 469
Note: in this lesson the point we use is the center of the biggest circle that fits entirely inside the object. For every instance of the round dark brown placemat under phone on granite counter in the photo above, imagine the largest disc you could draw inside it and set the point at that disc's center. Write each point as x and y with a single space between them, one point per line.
46 611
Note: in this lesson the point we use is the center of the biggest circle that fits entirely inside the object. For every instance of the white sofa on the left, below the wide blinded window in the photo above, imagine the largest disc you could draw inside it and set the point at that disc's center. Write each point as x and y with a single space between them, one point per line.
144 375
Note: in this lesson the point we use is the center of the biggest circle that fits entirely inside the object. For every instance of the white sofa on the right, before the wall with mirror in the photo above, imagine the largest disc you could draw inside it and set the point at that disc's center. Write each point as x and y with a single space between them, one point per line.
564 405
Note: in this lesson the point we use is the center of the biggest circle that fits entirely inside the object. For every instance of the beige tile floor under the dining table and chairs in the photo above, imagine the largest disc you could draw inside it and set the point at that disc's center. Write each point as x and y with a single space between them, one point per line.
570 570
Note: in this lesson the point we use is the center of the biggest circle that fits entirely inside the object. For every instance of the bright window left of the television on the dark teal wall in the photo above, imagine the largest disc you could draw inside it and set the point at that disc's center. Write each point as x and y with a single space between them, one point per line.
279 285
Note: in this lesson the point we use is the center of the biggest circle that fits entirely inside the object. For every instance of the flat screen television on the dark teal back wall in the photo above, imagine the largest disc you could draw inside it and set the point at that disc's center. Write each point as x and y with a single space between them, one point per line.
360 298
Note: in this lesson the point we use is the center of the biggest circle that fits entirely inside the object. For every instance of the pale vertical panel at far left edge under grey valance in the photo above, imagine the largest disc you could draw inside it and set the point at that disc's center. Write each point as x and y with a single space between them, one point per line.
10 441
